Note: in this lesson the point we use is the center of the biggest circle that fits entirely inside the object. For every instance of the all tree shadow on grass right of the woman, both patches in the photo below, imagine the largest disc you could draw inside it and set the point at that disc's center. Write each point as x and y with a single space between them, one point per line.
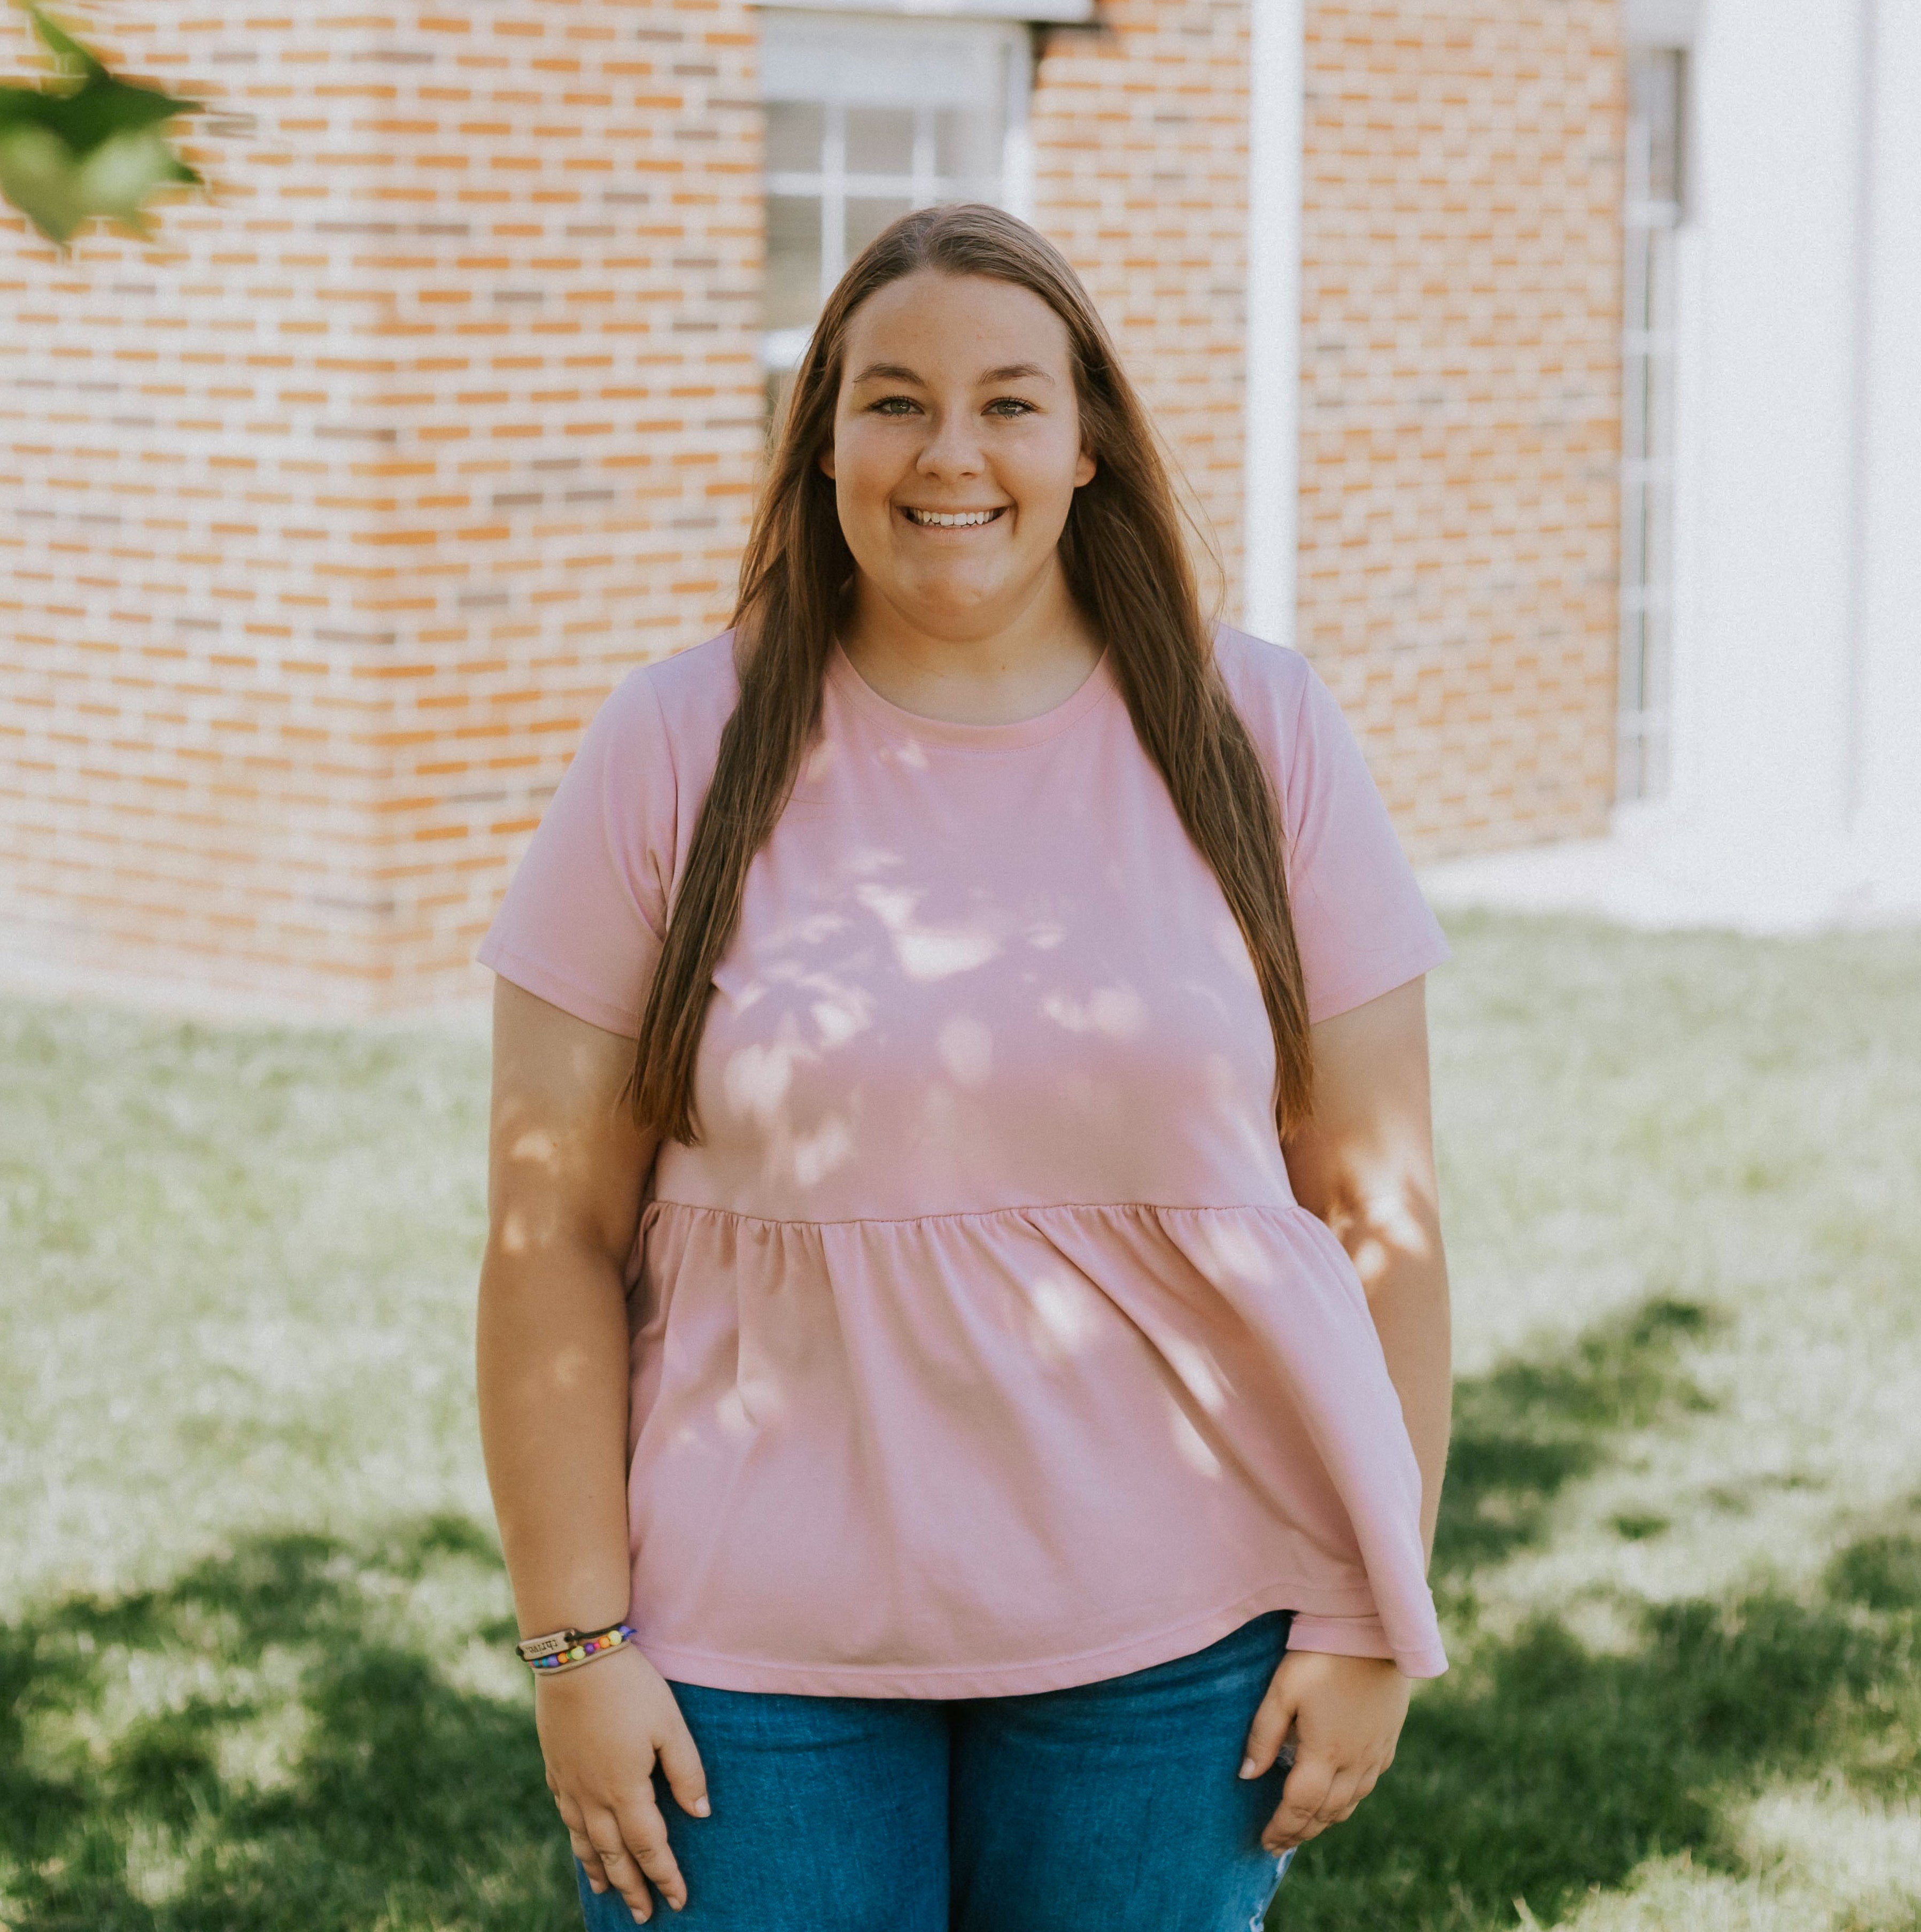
1541 1769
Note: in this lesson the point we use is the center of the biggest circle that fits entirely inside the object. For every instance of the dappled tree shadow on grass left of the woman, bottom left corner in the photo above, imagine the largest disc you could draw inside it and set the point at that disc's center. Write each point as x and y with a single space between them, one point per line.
272 1744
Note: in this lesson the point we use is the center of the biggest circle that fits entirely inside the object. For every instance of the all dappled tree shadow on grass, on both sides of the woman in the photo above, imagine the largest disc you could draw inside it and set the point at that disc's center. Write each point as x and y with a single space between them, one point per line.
283 1740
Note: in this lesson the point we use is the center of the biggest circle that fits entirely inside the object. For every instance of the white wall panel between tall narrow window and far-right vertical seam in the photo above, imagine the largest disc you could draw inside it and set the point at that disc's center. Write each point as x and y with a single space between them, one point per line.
1765 650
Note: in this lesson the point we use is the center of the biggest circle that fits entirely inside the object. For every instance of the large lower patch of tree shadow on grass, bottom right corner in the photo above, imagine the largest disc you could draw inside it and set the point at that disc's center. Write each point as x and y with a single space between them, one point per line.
1553 1769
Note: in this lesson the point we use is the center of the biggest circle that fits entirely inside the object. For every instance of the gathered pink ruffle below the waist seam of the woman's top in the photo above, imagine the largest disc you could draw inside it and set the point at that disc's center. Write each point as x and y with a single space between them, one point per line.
989 1454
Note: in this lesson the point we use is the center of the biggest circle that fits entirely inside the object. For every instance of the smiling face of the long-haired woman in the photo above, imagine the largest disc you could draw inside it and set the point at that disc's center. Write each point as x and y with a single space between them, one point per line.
956 449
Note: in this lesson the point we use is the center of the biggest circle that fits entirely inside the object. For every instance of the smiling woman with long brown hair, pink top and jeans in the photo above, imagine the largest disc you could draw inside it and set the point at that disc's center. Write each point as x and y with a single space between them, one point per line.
900 1311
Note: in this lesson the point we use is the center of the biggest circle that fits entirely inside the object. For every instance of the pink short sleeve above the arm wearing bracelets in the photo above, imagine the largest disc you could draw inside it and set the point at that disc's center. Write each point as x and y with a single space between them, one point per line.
585 917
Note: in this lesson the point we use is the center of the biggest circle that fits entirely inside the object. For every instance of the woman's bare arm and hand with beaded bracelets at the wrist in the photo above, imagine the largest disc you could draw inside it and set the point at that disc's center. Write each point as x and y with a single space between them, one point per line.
565 1181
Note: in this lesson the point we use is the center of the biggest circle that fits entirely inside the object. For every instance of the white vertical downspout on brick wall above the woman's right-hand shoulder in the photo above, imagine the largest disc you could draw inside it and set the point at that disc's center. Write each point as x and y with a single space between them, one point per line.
1273 455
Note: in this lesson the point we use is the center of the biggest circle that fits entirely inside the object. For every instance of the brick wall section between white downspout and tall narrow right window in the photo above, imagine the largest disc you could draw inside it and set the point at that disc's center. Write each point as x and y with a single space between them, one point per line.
1460 405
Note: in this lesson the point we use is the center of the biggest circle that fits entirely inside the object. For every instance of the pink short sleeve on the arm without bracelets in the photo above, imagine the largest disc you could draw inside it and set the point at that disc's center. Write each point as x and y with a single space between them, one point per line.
1362 923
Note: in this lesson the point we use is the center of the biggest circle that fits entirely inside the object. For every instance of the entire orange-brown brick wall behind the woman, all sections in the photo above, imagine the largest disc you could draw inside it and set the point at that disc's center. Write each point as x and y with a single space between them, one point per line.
331 515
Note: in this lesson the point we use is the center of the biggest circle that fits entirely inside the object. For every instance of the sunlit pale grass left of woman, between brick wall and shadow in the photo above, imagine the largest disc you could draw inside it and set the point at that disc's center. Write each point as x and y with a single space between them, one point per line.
239 1286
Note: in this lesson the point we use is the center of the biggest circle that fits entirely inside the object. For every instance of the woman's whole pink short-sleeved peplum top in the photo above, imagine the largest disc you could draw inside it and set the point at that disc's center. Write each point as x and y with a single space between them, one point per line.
981 1346
